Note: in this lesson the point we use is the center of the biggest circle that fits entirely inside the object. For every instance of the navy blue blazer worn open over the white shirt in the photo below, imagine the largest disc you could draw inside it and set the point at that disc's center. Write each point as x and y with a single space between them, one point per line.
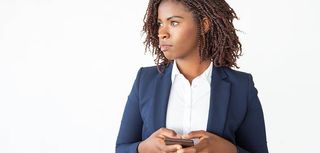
235 111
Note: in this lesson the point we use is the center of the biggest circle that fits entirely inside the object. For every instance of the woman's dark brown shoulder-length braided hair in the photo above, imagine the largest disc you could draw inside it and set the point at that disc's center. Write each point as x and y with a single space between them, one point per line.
219 44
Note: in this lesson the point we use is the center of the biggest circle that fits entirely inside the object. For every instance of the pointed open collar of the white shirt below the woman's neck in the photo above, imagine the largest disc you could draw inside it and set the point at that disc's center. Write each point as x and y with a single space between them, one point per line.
206 74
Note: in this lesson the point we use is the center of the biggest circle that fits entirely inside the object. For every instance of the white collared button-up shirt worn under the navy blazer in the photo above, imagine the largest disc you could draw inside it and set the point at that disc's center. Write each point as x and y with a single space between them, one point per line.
188 106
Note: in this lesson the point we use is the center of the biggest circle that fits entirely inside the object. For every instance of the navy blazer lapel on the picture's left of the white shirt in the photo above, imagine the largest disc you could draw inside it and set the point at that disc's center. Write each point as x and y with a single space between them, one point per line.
161 97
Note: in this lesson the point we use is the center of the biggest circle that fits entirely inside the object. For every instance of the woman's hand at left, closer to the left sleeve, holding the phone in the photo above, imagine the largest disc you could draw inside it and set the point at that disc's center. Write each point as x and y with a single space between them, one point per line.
155 143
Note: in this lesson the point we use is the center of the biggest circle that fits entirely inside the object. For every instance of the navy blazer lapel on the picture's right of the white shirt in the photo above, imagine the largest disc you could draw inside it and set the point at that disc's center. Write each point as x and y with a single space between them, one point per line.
219 100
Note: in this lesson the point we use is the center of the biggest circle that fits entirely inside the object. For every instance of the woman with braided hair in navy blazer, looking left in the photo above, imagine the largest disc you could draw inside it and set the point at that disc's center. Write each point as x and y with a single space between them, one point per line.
192 92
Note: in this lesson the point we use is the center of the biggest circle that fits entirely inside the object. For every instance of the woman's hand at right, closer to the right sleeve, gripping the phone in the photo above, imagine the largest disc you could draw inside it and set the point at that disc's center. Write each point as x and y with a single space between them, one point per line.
209 143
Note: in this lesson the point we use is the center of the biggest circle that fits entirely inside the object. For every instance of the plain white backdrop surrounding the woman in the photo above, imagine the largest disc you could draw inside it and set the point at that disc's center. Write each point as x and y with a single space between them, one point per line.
67 66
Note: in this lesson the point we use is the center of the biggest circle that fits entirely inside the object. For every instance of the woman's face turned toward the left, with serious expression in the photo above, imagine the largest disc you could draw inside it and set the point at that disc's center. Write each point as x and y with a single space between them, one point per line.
177 31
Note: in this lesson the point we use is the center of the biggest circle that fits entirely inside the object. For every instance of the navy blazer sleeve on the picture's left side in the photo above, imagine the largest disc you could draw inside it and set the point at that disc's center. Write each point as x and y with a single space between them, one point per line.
129 135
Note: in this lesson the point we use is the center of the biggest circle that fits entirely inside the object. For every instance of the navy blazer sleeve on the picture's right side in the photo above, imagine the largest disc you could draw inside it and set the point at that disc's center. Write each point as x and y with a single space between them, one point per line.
251 135
